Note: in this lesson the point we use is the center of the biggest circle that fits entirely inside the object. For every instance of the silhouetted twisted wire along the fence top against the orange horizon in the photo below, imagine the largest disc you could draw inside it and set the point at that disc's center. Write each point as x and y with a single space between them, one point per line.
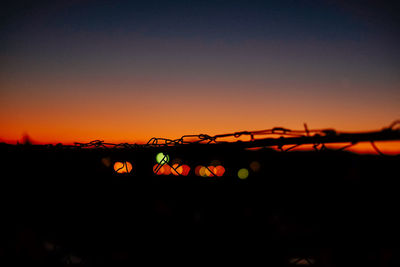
316 137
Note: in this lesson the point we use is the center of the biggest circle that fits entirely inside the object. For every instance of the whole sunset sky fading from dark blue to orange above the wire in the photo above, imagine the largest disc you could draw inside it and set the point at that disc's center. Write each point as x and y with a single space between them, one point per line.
126 71
